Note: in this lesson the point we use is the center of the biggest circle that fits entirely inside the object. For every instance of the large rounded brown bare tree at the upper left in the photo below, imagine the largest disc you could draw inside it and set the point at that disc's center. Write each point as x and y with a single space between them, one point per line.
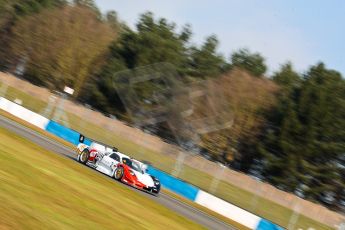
61 46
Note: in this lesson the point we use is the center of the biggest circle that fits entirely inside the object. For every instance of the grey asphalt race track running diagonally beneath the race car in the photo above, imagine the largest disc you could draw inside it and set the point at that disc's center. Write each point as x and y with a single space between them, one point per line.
178 206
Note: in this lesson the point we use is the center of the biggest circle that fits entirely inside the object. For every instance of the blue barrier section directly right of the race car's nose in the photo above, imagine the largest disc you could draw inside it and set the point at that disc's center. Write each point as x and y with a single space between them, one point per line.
182 188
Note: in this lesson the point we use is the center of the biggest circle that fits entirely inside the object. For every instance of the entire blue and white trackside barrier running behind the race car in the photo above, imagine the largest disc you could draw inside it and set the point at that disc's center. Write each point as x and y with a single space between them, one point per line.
182 188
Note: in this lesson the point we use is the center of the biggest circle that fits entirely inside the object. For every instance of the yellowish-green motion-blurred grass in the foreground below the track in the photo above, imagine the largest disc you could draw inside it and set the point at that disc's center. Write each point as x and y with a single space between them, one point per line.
41 190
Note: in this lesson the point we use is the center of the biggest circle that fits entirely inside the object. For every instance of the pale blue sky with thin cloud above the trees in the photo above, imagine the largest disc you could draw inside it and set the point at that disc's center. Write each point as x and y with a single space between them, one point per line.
303 32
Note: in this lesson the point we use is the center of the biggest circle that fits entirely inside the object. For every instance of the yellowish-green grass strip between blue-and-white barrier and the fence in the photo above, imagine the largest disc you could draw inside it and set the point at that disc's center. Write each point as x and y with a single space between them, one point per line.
242 198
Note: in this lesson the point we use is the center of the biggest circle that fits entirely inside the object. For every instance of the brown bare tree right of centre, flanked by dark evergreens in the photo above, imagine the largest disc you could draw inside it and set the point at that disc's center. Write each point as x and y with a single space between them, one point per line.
247 98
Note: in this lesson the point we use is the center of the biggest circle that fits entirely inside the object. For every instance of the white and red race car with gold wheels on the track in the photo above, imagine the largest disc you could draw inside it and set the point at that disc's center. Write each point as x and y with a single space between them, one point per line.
117 165
